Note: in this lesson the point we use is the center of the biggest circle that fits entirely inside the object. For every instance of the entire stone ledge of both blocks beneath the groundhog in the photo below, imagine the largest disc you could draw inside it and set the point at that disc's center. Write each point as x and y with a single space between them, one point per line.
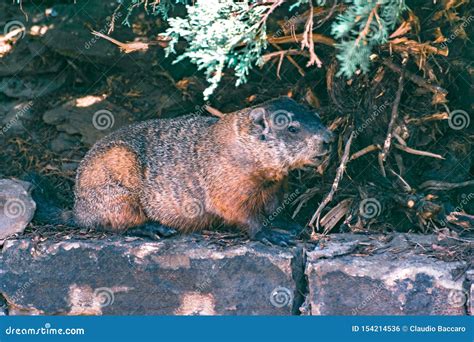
397 274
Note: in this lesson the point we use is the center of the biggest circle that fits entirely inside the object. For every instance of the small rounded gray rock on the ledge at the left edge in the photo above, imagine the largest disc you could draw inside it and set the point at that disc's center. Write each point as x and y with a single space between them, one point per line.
16 207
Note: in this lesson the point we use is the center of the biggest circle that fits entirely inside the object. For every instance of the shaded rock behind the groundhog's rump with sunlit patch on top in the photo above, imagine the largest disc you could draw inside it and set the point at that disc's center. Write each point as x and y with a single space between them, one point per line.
91 117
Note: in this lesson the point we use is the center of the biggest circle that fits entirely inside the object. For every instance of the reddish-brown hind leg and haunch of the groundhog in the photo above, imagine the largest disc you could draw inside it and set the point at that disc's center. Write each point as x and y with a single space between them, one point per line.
107 191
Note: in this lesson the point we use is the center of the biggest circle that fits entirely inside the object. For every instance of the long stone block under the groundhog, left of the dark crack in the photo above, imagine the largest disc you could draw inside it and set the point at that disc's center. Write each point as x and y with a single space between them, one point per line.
182 275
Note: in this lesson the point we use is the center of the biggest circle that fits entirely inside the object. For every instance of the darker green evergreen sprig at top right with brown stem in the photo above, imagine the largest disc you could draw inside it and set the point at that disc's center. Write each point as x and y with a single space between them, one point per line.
364 25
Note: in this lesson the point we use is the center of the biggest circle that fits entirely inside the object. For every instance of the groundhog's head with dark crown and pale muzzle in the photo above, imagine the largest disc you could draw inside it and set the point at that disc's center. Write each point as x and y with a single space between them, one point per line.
289 134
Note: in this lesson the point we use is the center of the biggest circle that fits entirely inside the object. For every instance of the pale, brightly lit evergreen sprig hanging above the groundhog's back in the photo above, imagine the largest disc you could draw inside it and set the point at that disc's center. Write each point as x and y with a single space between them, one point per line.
220 34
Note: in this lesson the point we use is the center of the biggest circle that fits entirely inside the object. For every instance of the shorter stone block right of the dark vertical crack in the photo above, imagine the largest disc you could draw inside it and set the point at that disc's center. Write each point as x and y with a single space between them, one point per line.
393 279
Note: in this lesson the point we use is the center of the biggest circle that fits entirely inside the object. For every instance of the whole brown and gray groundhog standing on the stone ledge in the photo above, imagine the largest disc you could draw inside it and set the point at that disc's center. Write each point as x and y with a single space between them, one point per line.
193 172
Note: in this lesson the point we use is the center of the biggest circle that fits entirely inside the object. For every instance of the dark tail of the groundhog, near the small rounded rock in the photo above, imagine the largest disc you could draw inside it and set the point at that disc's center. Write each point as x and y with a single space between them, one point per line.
48 206
